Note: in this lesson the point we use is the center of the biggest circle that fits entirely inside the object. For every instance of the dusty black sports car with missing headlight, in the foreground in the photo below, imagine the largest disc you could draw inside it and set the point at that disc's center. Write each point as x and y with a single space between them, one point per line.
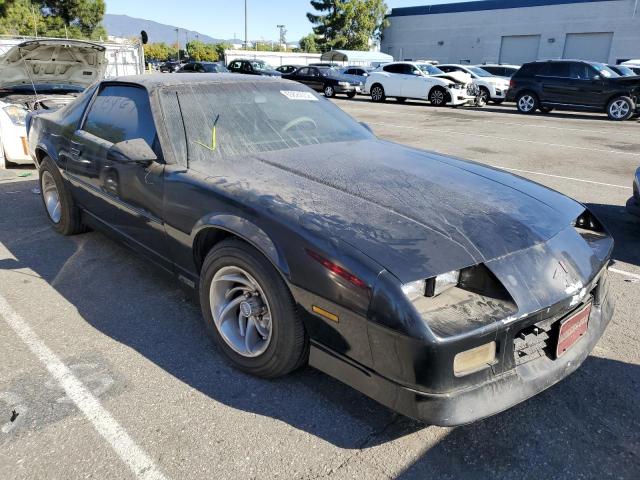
444 289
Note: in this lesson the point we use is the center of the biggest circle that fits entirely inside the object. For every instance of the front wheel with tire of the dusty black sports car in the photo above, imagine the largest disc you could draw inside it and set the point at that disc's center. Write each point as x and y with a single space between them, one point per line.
250 312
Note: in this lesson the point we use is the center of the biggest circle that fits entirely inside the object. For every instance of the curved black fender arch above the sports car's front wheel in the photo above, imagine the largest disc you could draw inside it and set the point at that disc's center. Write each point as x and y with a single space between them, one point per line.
213 228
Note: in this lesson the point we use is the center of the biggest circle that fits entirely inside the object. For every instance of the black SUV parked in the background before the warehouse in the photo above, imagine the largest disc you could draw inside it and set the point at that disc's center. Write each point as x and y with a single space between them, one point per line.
574 85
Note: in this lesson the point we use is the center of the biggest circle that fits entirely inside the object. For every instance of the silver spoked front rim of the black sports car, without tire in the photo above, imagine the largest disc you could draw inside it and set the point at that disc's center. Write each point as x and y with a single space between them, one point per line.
241 311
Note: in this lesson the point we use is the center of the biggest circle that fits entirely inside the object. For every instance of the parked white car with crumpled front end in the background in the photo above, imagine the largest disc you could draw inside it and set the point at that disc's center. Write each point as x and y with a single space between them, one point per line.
423 81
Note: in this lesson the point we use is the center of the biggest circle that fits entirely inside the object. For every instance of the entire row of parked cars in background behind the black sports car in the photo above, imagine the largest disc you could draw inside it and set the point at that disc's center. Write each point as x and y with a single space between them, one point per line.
537 86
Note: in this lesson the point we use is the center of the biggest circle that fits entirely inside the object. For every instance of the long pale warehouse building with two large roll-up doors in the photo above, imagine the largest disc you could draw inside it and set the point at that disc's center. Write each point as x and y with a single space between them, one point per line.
515 31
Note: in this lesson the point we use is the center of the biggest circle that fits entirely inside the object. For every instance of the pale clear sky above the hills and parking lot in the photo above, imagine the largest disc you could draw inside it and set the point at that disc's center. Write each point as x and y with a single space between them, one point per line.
223 18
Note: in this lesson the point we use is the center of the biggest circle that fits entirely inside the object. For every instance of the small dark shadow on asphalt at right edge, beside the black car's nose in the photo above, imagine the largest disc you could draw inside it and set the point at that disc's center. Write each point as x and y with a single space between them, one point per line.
625 229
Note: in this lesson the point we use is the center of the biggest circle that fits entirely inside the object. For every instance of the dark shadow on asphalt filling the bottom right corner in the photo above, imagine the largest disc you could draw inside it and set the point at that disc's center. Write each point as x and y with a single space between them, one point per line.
587 426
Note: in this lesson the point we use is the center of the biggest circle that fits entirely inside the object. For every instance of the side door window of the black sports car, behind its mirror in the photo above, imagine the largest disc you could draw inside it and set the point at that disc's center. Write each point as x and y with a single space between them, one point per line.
120 113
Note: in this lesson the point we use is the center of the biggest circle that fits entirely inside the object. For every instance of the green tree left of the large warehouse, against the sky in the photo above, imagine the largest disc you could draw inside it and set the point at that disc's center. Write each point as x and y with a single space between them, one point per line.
347 24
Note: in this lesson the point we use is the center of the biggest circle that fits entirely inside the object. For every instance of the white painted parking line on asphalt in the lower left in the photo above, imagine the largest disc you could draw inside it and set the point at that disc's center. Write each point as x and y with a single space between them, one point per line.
133 456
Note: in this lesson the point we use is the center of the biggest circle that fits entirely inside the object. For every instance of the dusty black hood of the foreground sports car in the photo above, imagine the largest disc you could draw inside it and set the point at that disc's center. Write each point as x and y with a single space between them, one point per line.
416 213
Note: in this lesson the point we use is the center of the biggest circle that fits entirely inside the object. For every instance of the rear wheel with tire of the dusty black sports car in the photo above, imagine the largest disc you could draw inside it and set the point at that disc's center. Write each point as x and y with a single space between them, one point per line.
61 209
